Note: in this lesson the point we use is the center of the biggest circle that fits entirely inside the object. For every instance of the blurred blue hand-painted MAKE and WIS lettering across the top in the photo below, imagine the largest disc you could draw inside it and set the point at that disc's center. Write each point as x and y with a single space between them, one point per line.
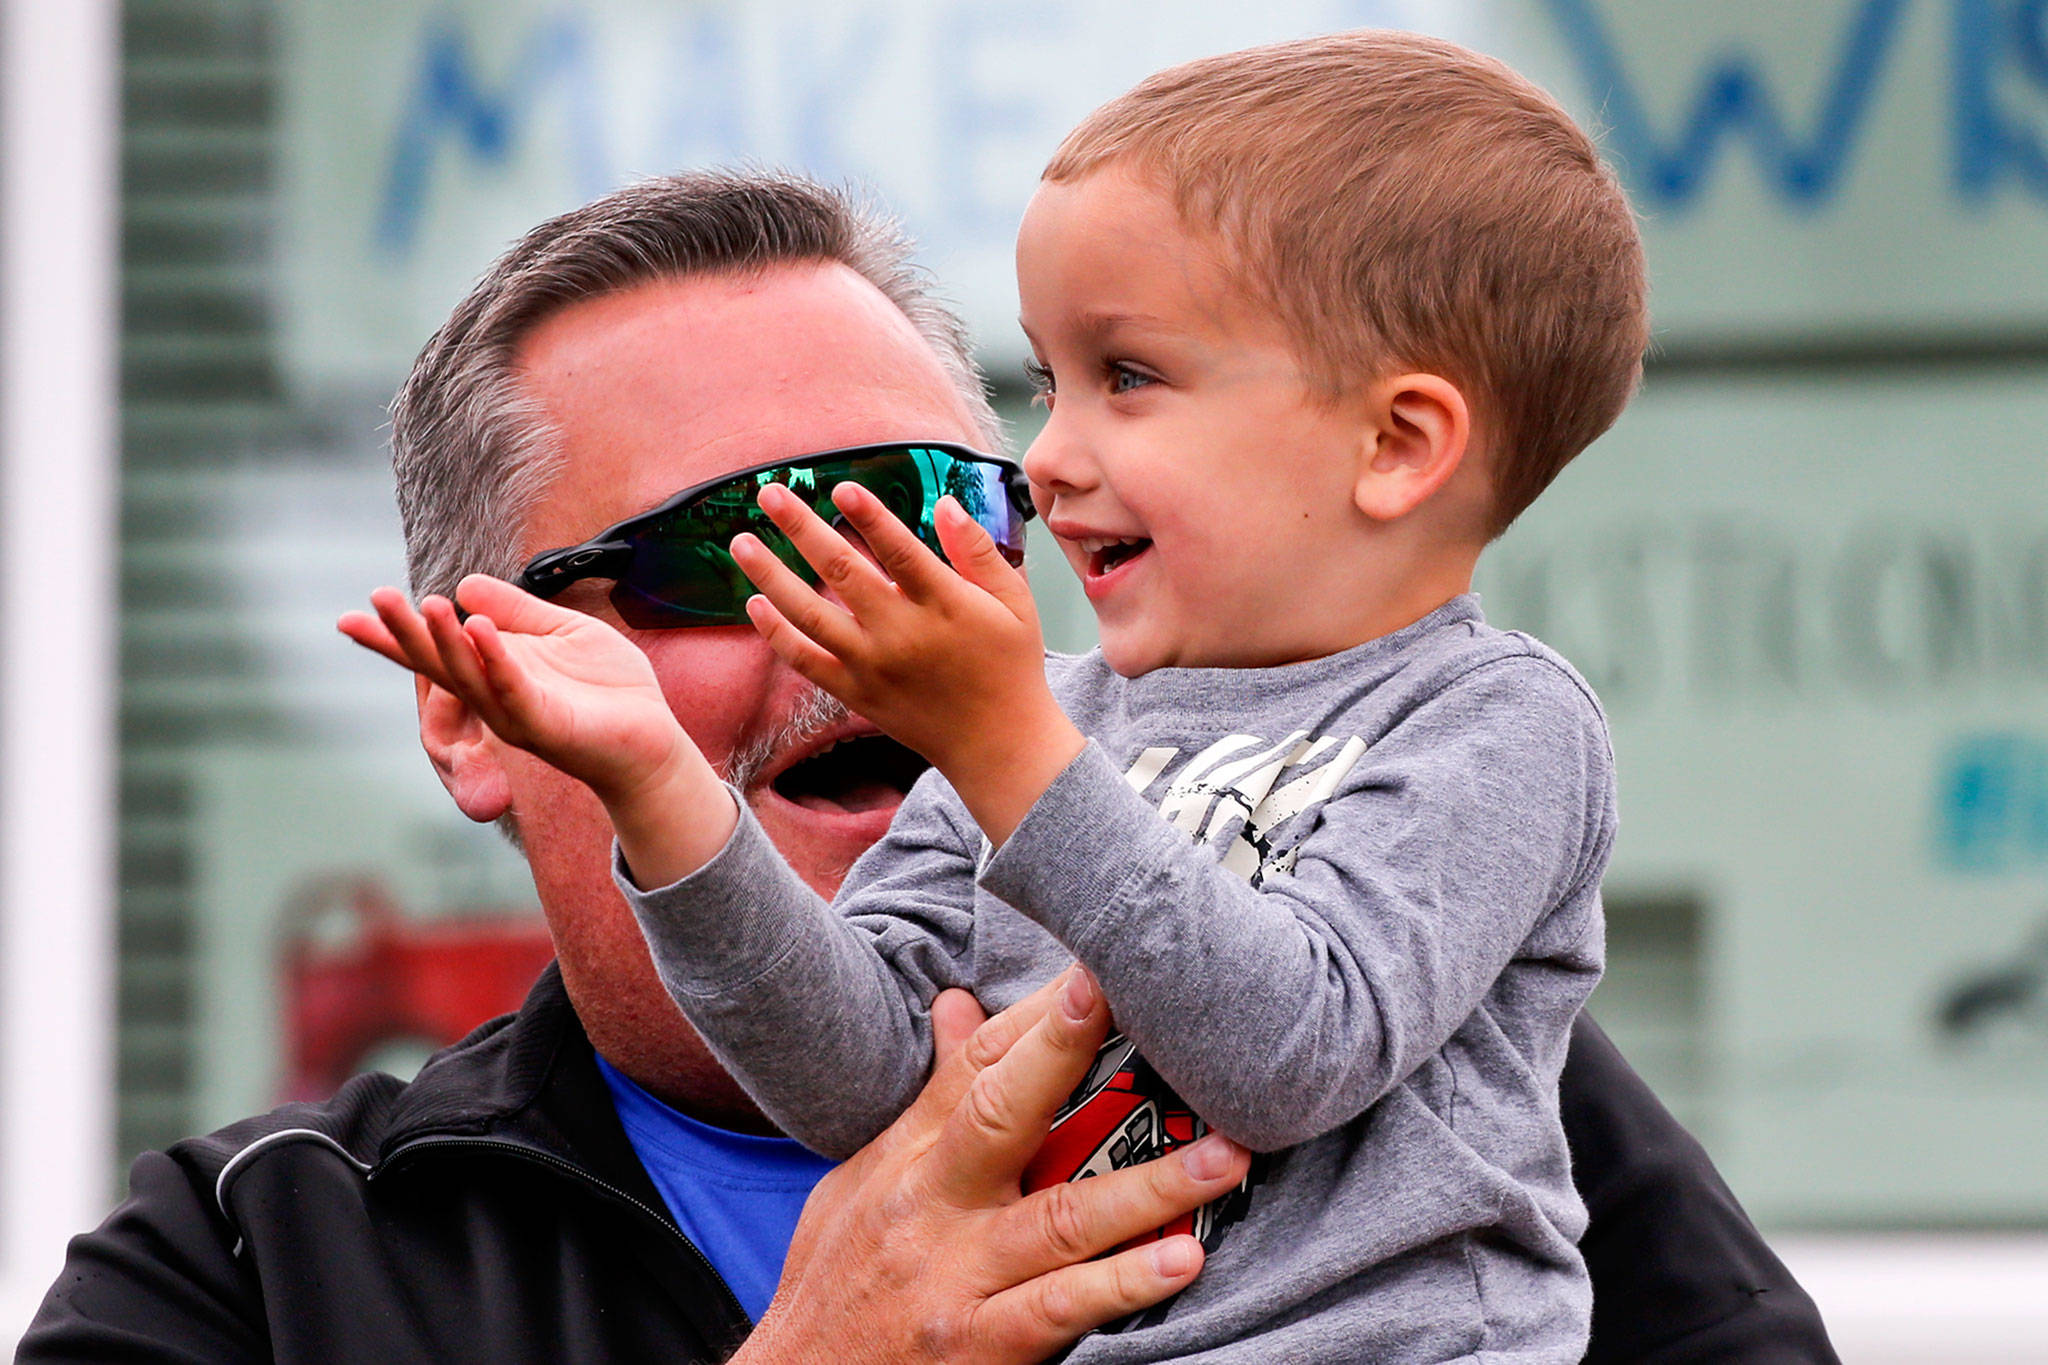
1998 105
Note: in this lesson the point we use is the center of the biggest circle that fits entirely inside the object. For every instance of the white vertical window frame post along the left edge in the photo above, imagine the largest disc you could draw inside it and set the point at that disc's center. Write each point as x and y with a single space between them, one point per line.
58 625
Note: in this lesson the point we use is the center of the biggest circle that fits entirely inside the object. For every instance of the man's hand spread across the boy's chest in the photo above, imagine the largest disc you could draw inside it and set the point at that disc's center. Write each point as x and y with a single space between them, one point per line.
921 1247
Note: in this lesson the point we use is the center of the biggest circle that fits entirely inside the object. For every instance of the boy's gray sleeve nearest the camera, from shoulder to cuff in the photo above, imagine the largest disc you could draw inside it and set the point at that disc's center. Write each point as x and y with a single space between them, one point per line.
1287 1010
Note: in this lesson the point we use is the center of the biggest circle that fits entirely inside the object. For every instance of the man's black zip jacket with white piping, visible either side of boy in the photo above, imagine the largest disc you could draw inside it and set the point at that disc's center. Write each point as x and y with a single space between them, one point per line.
493 1210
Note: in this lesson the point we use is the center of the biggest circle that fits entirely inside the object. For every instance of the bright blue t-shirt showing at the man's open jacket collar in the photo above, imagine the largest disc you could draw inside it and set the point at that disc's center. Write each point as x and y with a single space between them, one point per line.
732 1194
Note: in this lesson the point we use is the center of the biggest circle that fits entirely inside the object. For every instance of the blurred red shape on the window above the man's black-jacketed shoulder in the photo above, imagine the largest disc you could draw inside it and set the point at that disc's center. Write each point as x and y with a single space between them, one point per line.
370 989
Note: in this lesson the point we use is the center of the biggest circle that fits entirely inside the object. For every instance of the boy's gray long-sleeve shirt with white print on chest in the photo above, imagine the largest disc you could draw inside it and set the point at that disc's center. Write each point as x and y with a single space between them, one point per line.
1345 908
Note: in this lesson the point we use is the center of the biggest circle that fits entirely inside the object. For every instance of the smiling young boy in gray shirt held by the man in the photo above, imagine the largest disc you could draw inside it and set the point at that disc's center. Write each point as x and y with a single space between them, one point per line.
1314 324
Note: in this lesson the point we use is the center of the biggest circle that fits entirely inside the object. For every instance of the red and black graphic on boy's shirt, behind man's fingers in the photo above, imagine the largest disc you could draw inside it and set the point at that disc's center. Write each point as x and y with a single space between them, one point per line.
1125 1114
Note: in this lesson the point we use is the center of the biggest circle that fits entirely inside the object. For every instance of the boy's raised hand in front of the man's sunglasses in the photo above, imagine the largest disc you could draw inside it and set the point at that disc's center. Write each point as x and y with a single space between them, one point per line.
949 660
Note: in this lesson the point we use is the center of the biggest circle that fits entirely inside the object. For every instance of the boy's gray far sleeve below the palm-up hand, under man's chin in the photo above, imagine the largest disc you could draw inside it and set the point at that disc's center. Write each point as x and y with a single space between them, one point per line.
820 1010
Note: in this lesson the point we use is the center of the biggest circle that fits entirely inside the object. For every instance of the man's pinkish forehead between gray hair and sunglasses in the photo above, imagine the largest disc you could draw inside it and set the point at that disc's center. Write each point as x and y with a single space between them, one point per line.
673 384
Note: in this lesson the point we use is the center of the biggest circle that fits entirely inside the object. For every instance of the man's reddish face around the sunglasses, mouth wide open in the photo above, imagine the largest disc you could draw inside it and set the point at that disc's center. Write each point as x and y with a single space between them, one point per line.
667 386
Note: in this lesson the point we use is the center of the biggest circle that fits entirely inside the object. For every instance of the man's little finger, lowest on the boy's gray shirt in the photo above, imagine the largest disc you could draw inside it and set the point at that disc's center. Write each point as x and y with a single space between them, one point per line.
1048 1313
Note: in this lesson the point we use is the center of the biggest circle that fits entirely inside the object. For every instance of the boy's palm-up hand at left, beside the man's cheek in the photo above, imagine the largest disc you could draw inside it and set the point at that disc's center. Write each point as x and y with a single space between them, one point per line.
574 693
